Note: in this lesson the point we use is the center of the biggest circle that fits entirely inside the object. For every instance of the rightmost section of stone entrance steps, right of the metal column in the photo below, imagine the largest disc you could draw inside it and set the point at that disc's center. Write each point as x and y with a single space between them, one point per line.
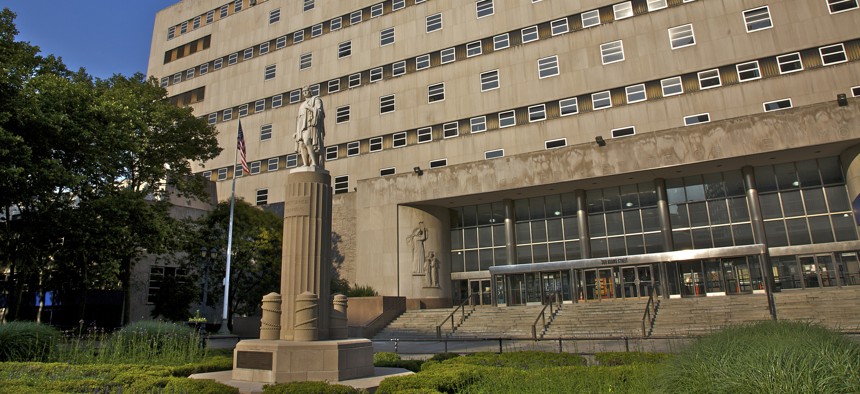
831 307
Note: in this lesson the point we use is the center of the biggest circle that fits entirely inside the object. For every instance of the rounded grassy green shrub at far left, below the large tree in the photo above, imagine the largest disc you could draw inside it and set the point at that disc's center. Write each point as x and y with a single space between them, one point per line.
27 341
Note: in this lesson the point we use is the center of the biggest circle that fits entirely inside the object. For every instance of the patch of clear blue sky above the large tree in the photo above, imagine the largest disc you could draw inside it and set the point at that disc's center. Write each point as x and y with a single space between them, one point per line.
104 36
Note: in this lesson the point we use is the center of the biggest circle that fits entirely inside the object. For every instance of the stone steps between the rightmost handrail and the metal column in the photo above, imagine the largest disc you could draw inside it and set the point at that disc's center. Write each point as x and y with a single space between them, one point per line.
703 315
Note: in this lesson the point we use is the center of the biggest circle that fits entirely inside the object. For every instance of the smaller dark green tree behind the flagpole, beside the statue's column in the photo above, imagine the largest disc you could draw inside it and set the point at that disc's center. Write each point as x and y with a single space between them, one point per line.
256 253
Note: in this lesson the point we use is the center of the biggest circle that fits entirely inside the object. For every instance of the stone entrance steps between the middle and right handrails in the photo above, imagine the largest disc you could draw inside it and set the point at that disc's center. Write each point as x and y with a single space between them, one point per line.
598 319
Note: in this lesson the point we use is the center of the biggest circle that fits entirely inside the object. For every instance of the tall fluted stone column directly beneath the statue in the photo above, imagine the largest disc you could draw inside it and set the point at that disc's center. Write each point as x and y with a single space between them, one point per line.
307 238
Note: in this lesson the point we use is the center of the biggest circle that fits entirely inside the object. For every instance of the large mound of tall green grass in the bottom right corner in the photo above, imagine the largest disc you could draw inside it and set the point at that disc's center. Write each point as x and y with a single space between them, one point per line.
766 357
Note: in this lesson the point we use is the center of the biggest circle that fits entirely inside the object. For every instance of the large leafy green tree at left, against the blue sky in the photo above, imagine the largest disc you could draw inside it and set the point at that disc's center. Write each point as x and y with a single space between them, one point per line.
86 168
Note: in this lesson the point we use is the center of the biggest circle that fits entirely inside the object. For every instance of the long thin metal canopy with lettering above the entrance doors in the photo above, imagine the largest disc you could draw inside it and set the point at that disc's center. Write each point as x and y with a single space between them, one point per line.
681 255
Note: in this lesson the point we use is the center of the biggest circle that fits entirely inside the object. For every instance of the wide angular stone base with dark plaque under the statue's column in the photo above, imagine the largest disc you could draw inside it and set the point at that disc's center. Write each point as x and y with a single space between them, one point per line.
287 361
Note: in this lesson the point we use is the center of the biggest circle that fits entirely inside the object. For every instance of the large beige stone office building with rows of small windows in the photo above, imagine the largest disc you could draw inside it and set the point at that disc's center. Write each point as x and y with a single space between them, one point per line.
513 149
